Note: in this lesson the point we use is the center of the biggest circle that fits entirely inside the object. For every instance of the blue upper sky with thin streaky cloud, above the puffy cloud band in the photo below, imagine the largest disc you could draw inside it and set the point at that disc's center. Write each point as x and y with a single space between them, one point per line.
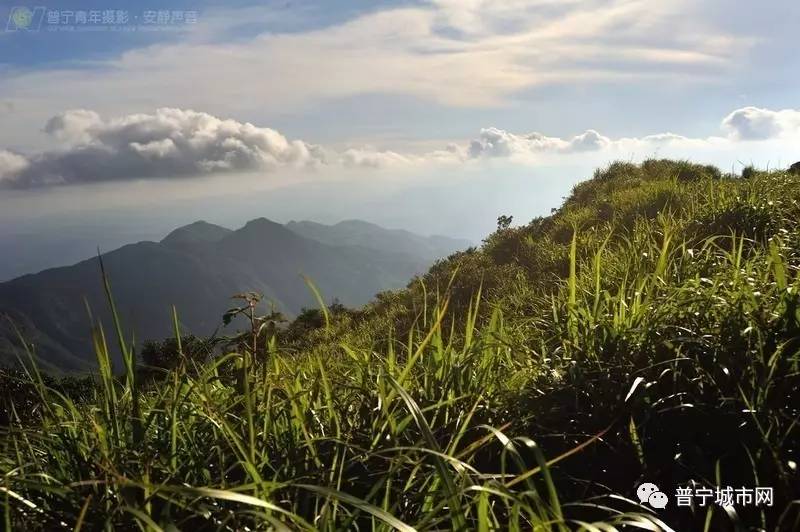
615 78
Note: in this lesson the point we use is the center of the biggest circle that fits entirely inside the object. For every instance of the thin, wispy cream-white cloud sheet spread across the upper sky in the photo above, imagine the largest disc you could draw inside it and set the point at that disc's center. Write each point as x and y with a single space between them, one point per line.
457 53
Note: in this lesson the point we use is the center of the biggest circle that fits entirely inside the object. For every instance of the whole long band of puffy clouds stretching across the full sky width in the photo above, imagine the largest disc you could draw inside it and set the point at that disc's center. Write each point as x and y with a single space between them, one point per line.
183 143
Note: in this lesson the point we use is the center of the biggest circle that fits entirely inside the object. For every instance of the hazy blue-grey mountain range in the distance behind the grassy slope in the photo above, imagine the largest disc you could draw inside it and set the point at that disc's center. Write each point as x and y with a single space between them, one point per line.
198 268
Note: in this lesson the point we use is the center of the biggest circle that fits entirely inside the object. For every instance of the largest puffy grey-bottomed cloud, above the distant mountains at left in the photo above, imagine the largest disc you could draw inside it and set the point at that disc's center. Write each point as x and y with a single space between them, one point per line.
169 142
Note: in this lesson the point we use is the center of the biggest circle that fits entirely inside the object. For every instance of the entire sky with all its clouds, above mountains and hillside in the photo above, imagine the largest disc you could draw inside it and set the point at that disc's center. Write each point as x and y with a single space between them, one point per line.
121 123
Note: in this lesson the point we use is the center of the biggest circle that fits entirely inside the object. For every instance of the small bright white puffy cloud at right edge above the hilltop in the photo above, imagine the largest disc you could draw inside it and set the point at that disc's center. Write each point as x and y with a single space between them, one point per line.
754 123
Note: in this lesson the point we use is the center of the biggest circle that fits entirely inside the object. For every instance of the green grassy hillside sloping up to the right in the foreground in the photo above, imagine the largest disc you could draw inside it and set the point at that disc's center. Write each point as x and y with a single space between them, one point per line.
645 331
